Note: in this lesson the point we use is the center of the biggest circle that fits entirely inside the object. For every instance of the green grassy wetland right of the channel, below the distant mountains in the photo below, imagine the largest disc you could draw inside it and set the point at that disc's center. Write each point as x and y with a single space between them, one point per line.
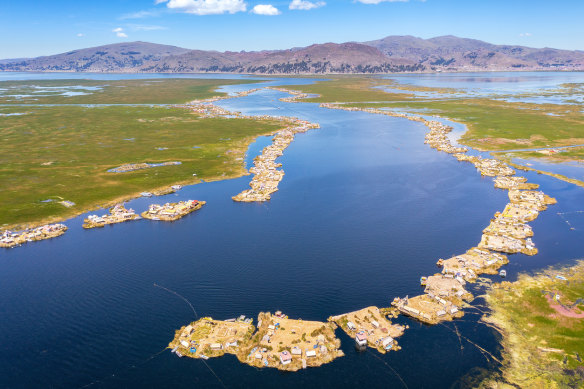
494 124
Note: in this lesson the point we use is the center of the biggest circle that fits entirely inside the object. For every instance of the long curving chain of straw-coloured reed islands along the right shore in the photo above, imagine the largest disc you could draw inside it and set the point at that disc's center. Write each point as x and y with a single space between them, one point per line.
444 293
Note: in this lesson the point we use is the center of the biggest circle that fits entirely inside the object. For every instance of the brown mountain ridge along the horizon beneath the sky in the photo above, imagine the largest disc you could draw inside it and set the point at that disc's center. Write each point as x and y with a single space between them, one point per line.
387 55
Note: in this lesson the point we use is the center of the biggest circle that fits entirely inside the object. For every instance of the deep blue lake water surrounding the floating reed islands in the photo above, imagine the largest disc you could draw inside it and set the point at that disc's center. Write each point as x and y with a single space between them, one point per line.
364 210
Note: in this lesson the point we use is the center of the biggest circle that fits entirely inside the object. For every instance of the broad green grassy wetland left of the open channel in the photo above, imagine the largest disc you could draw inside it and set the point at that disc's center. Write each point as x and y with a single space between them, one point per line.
58 146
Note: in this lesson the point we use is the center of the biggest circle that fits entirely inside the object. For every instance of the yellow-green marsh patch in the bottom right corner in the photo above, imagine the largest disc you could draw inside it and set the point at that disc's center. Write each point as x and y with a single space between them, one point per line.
541 318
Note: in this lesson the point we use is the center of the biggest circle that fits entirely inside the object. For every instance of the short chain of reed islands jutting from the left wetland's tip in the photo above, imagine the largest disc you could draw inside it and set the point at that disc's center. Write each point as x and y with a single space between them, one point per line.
266 176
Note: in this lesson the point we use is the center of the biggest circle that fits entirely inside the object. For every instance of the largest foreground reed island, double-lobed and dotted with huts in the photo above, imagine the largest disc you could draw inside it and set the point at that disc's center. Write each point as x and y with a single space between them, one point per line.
278 342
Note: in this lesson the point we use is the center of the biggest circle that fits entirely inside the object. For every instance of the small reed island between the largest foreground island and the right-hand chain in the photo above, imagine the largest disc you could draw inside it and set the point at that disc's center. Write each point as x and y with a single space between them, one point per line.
370 327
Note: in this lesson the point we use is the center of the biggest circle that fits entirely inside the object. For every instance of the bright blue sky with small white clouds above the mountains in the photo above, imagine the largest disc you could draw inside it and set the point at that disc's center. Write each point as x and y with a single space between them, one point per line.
42 27
